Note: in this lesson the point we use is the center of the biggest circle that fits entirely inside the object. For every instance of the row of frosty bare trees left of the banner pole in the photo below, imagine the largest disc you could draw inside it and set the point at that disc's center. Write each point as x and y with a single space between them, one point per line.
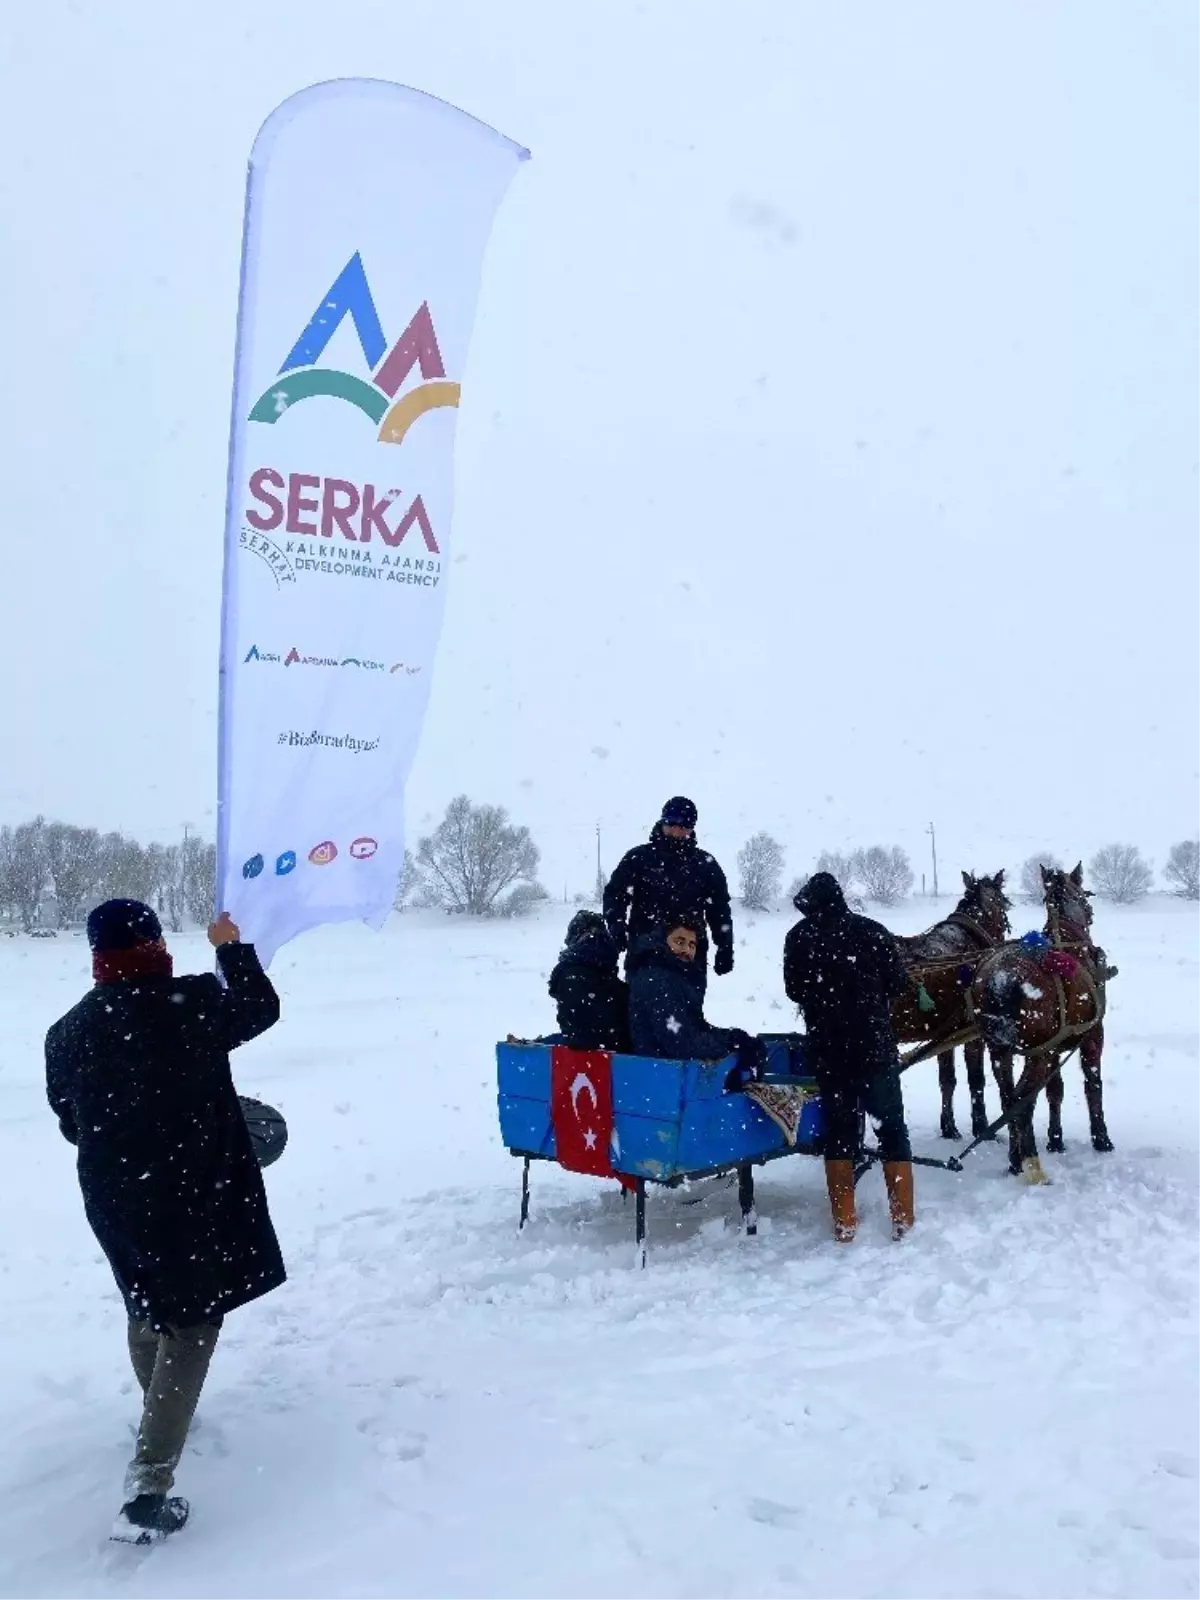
52 874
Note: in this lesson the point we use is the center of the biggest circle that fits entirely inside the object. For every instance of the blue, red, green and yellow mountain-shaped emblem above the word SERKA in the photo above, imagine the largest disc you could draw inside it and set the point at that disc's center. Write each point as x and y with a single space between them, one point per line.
300 378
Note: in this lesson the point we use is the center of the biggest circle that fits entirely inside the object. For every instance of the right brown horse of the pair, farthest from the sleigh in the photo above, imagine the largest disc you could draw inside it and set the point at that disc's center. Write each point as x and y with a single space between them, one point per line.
1044 1004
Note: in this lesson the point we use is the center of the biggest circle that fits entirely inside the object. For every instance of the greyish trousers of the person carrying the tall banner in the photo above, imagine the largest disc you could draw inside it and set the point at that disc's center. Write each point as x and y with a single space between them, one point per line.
170 1370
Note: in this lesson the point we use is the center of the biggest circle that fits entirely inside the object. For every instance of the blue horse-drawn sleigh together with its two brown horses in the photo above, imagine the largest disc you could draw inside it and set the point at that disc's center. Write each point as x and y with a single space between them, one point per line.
644 1121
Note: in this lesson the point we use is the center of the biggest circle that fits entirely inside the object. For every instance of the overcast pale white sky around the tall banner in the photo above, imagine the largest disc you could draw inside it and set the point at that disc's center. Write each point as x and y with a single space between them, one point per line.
830 446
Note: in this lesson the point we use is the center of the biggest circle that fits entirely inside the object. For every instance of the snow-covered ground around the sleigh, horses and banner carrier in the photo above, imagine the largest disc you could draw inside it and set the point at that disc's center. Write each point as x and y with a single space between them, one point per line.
1004 1407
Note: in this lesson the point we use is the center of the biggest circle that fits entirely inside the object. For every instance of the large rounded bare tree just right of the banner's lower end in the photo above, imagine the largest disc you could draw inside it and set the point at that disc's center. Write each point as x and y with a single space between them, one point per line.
473 857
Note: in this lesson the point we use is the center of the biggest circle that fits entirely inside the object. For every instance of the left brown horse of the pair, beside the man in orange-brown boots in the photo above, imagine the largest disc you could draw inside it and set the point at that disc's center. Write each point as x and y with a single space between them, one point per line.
943 964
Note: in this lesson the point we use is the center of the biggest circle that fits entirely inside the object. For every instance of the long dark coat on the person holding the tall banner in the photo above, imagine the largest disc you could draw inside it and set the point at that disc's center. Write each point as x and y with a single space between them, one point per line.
138 1076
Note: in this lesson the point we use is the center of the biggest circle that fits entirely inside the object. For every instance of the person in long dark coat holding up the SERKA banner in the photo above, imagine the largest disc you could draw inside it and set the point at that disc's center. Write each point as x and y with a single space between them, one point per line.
138 1078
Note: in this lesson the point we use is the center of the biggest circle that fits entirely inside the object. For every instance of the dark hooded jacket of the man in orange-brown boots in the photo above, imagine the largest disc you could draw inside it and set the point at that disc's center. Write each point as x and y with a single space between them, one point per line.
844 972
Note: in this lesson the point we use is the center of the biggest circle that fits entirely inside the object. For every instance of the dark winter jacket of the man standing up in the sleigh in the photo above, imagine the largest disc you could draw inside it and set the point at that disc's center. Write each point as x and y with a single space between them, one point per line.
663 879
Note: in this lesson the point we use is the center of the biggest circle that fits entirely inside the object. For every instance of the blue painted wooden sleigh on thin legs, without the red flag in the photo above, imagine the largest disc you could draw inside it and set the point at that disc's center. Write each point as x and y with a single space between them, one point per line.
671 1121
